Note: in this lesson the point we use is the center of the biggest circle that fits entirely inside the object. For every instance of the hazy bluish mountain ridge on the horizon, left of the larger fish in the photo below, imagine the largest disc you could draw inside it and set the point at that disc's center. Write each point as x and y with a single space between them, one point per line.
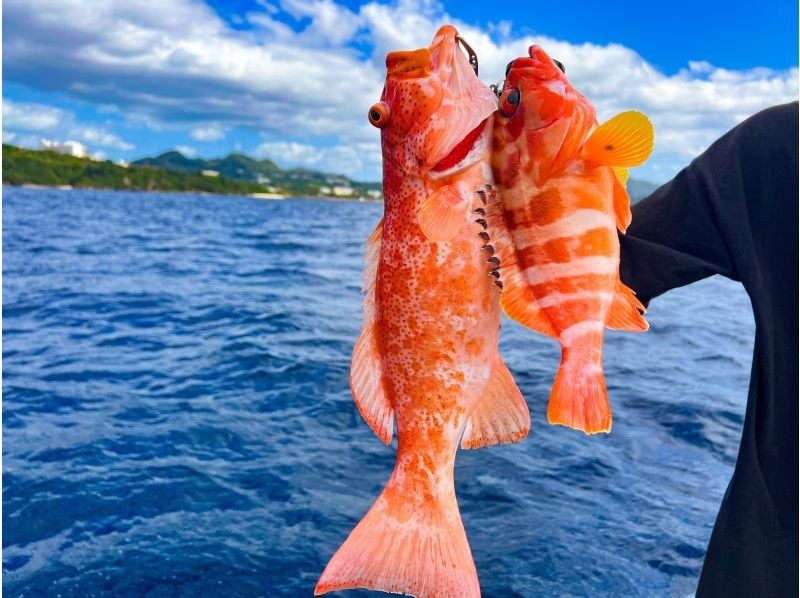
239 166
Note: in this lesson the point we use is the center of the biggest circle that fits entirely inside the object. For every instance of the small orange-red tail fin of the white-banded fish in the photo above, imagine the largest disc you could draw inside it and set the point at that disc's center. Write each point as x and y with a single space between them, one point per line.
579 398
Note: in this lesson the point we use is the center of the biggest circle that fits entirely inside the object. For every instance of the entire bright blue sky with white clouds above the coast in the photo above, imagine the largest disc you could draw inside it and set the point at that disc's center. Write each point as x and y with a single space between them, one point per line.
292 80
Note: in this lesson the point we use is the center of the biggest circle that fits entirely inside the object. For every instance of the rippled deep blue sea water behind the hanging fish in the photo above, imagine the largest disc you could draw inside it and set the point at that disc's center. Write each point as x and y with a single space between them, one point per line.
177 418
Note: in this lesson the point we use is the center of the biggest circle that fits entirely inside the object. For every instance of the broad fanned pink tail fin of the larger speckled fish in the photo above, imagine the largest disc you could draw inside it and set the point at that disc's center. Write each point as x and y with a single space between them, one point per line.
406 546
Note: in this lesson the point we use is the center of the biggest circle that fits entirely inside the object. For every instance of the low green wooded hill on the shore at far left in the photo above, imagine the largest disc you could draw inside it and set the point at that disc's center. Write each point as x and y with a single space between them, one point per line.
22 166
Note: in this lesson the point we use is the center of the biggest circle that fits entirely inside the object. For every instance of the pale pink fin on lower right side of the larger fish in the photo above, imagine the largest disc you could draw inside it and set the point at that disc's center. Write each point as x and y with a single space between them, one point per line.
501 416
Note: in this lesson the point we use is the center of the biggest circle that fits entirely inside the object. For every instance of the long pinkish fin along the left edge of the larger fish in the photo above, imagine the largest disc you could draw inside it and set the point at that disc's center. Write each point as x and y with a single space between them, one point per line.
366 371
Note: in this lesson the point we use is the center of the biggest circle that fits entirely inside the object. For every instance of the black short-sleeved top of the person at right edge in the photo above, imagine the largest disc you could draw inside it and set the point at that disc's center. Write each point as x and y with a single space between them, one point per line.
733 211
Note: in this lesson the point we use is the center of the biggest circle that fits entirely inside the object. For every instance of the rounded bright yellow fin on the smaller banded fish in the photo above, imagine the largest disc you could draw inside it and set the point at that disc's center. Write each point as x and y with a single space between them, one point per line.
626 140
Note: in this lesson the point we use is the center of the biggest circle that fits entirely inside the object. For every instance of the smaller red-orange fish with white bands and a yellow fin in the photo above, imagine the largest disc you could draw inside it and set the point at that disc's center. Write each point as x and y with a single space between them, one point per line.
561 181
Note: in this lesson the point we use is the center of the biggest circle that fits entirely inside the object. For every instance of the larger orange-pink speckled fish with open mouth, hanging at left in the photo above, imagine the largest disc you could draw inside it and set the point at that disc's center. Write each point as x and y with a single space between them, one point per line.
427 355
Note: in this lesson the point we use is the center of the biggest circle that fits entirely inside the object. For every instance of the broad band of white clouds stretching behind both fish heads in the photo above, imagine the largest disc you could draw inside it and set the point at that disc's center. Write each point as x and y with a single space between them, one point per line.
177 63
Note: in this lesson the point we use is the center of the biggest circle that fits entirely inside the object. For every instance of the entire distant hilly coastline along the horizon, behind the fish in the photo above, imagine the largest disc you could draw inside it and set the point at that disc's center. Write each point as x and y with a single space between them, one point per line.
236 174
